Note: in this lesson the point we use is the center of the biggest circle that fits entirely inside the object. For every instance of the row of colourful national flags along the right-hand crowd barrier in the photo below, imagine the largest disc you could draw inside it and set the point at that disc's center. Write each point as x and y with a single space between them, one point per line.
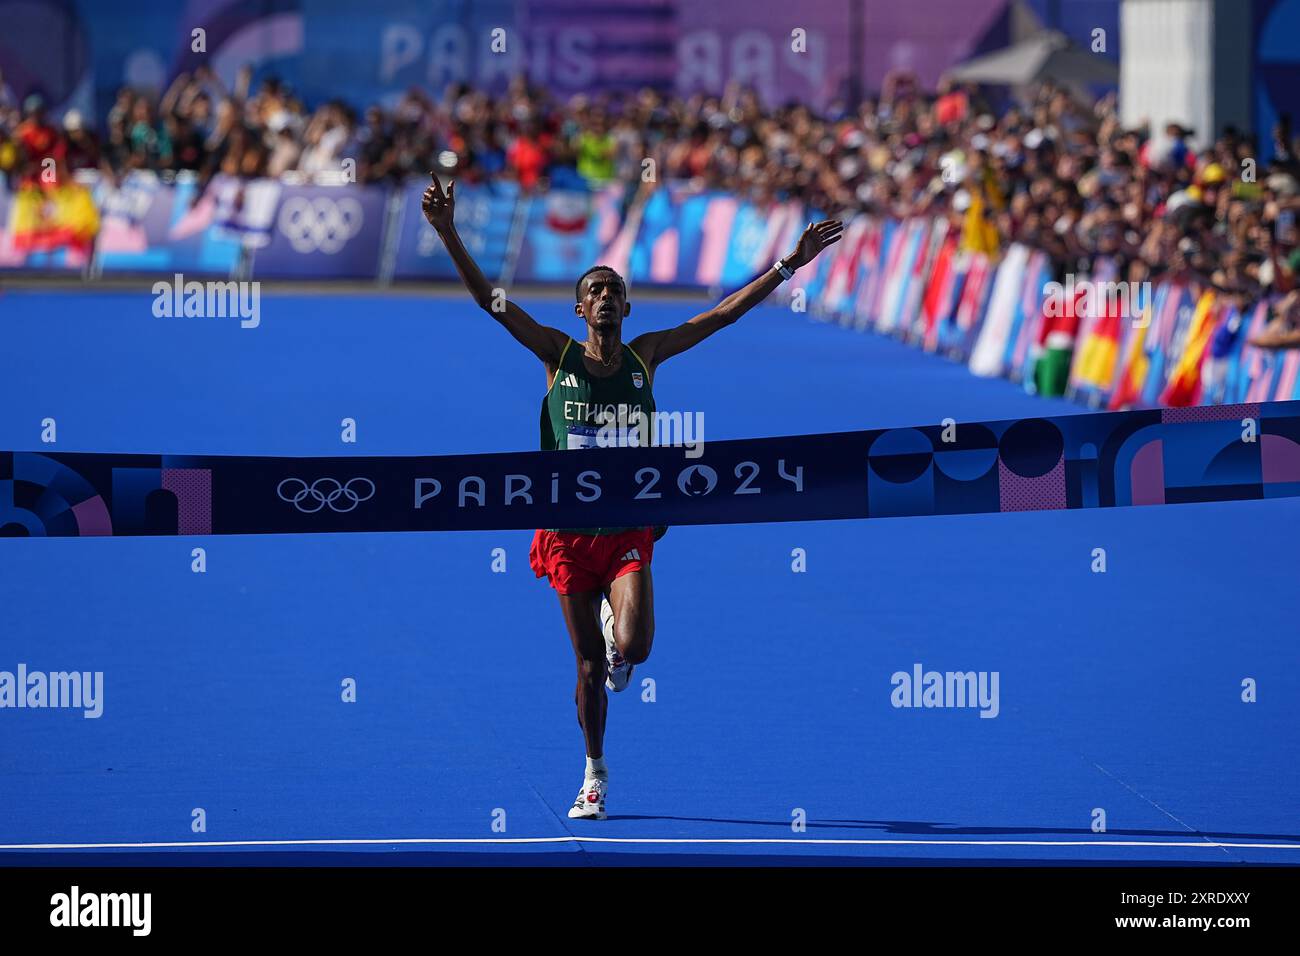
1094 339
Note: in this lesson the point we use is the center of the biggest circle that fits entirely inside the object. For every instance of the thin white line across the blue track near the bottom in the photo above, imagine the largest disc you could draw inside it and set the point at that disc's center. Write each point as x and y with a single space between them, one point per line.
1198 845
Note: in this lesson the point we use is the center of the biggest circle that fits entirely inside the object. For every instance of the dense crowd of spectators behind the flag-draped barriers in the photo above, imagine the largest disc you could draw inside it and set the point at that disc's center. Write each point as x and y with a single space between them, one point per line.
1055 172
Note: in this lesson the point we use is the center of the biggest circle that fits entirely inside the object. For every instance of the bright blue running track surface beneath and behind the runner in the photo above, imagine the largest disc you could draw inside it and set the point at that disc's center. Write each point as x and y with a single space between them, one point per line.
1119 691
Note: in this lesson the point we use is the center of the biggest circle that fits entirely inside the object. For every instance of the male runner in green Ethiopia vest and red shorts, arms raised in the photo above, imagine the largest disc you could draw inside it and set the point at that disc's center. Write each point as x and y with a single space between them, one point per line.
603 576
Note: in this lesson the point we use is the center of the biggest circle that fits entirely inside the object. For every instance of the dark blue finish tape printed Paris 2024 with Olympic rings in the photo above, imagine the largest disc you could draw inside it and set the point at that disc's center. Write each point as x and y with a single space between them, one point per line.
1104 460
